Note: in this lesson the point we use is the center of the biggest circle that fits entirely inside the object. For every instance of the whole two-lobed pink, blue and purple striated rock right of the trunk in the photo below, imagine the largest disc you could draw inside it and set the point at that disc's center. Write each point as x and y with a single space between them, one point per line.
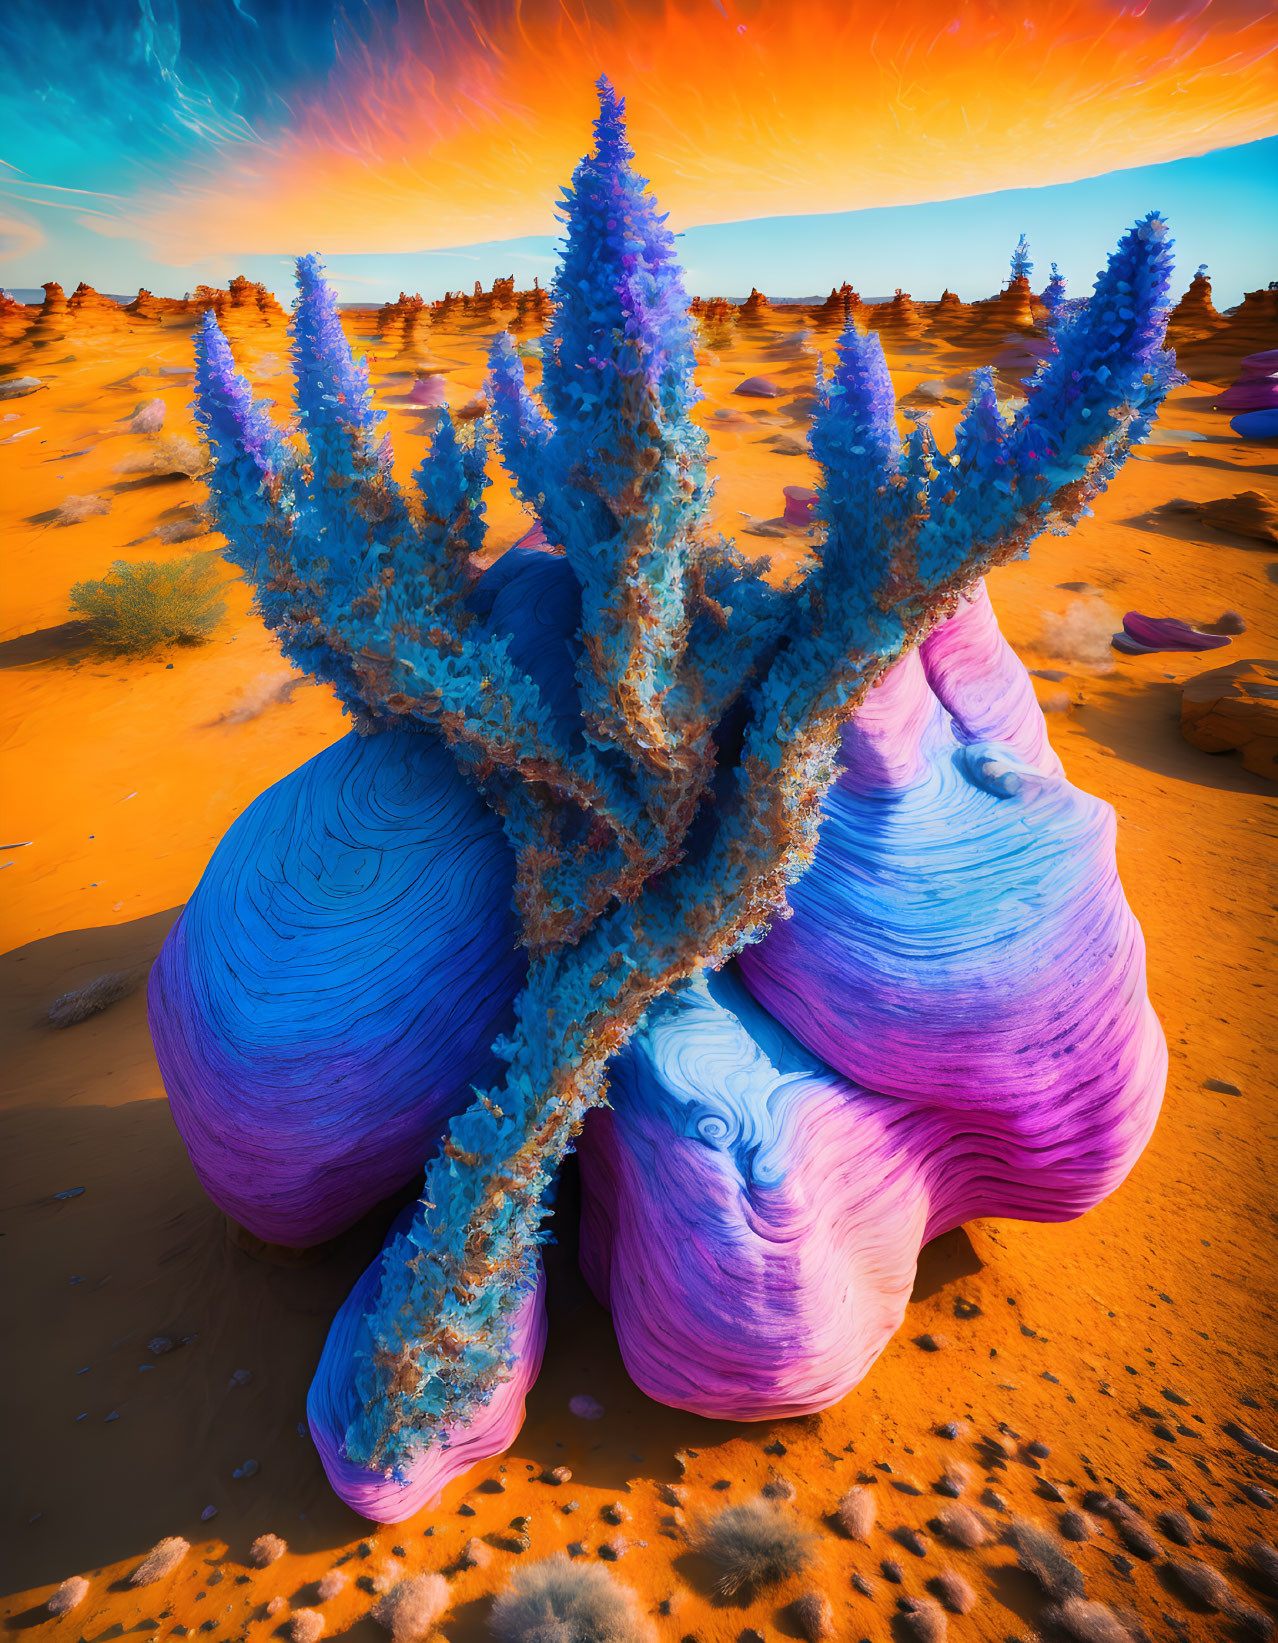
952 1024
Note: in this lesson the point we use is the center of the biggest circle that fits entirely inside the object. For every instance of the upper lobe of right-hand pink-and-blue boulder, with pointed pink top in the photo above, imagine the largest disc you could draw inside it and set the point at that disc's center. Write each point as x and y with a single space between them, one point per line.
962 936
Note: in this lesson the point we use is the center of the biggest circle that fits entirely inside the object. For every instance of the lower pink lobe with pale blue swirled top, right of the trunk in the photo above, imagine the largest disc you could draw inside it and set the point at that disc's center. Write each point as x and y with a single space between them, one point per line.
753 1220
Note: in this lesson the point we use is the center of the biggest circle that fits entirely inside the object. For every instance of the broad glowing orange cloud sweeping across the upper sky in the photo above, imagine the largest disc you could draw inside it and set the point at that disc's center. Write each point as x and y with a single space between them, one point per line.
461 129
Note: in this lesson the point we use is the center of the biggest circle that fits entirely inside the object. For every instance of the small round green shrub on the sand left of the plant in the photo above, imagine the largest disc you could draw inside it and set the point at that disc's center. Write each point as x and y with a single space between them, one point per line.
139 609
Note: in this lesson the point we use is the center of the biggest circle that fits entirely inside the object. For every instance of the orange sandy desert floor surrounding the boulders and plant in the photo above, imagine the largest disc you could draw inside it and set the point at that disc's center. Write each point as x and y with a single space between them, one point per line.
1124 1342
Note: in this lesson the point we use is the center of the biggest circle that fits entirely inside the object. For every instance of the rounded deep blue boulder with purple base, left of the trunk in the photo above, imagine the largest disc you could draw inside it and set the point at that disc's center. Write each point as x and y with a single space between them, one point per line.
336 983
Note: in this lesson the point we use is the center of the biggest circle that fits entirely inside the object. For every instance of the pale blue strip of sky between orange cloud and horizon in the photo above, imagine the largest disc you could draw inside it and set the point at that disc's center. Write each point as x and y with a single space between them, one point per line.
1223 211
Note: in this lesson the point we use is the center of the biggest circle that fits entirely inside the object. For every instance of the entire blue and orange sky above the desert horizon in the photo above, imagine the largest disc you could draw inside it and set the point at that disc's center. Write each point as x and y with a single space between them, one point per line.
796 144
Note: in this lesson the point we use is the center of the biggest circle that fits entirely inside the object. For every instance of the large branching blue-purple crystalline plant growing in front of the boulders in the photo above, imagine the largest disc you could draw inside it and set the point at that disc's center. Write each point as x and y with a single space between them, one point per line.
648 840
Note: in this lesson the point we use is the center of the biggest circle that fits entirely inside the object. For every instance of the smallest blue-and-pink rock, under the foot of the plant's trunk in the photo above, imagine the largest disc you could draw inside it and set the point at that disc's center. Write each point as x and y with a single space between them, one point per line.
333 1406
